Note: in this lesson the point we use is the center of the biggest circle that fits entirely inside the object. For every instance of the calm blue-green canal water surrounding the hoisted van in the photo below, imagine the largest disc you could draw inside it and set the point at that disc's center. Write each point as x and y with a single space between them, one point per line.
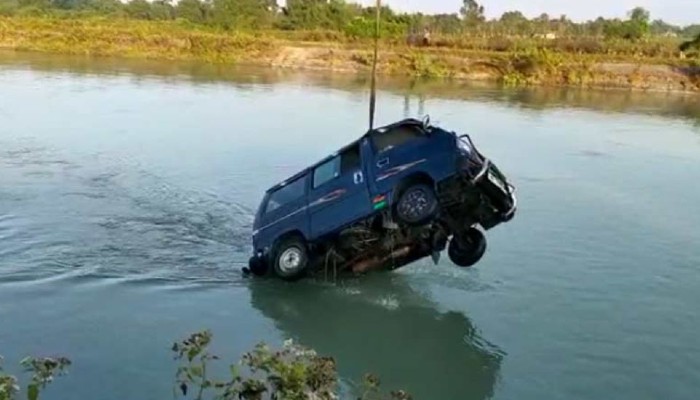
127 190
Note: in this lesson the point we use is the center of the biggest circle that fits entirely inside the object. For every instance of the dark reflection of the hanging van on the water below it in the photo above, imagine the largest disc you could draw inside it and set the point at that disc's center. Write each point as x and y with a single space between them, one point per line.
380 325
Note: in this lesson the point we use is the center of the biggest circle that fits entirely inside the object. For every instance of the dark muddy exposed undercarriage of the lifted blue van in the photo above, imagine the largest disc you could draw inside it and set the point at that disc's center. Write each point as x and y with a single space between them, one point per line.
382 243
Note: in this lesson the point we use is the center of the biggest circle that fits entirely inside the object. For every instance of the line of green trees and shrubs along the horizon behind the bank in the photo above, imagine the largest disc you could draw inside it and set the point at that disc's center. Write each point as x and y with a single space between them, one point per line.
352 20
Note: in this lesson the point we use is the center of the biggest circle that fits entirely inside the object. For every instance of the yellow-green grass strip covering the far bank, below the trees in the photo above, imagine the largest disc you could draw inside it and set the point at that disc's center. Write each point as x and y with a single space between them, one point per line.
512 60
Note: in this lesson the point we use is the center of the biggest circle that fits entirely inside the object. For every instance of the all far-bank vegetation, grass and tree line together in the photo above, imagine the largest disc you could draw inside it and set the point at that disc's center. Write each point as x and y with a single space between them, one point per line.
544 49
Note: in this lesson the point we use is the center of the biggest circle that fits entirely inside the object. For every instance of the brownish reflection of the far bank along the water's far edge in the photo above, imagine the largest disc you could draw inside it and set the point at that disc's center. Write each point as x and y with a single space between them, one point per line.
672 105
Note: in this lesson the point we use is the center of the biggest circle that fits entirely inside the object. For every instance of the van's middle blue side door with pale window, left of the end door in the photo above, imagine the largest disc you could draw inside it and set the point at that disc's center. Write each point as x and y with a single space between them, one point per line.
338 193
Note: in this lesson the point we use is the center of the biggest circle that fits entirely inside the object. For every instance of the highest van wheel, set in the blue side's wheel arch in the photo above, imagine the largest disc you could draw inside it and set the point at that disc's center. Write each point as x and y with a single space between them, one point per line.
416 205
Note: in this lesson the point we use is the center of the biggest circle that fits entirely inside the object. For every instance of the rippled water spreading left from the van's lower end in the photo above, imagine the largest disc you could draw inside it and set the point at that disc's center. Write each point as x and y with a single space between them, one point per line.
115 221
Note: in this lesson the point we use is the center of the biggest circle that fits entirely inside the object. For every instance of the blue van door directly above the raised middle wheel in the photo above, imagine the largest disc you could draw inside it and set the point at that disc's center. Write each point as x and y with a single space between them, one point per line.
399 151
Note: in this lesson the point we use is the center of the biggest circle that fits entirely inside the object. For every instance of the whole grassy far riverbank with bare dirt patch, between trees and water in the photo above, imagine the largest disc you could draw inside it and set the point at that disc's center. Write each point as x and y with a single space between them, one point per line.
183 41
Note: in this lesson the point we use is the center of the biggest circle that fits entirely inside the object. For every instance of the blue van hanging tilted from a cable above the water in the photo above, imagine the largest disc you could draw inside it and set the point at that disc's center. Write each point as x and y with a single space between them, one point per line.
397 194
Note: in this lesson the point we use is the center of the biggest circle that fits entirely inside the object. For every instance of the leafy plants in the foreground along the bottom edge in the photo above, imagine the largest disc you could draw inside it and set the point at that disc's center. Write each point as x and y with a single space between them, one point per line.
293 372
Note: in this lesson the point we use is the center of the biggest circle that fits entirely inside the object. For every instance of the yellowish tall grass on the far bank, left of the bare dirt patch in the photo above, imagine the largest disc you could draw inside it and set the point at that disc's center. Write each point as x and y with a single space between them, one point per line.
129 38
